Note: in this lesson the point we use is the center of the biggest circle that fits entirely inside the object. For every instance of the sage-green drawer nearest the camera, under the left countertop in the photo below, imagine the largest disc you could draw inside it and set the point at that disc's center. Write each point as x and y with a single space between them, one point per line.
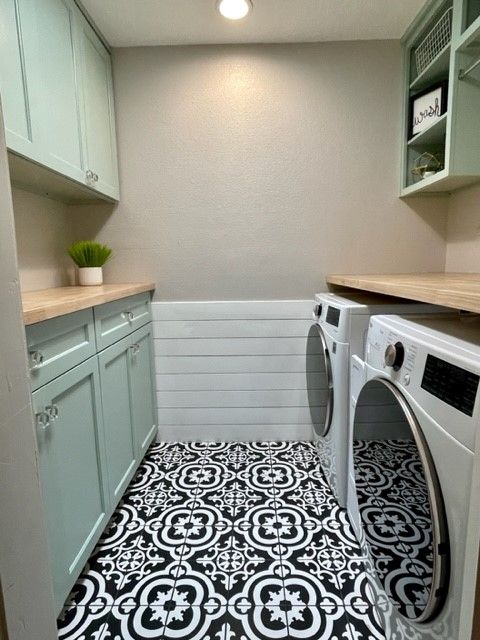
57 345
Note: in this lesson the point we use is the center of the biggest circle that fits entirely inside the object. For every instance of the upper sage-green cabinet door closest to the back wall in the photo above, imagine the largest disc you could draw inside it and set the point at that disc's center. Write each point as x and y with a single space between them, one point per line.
98 112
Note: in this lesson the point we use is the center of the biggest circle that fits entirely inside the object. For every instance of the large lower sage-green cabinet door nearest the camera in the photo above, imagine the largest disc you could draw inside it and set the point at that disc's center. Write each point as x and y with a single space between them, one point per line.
72 470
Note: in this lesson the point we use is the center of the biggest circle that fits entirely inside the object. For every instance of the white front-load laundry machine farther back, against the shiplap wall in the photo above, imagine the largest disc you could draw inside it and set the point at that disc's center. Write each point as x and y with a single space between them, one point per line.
339 331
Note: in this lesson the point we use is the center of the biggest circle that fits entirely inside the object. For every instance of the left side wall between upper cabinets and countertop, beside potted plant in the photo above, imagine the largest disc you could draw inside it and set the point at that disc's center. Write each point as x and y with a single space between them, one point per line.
44 230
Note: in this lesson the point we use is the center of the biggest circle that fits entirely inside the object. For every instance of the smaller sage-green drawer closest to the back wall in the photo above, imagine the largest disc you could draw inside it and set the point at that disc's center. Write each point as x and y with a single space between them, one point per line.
115 320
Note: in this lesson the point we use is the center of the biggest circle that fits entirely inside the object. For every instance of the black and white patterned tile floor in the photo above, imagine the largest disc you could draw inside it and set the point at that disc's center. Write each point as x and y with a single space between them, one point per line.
225 541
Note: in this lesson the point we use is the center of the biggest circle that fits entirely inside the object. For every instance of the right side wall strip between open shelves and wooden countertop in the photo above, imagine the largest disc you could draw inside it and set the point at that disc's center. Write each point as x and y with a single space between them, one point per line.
463 238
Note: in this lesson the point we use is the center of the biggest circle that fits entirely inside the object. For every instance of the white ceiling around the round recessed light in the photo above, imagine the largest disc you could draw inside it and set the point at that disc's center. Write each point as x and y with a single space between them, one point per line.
128 23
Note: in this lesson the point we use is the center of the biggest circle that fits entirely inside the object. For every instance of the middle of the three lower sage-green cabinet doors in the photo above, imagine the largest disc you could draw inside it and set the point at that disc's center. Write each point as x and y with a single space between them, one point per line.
116 402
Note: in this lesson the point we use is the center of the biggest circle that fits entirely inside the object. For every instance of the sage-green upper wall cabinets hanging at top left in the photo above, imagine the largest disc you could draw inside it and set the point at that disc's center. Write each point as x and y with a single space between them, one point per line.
56 81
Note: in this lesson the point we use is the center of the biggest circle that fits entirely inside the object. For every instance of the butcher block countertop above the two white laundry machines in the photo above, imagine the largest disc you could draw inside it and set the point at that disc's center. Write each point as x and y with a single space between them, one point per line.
456 290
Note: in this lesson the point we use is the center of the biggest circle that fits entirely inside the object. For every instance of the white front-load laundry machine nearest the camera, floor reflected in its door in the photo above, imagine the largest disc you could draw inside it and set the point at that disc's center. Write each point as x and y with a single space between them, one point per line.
413 435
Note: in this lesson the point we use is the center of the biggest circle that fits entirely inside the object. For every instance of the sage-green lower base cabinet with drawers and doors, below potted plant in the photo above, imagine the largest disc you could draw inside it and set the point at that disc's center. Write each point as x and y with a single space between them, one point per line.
95 418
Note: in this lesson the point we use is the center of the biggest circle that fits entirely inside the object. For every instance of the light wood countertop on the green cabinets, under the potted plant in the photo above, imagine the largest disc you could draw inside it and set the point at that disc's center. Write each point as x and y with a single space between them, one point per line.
50 303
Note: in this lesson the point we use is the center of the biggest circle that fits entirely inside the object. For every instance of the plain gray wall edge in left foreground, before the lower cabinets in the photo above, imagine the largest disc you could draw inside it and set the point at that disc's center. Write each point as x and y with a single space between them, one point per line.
24 572
